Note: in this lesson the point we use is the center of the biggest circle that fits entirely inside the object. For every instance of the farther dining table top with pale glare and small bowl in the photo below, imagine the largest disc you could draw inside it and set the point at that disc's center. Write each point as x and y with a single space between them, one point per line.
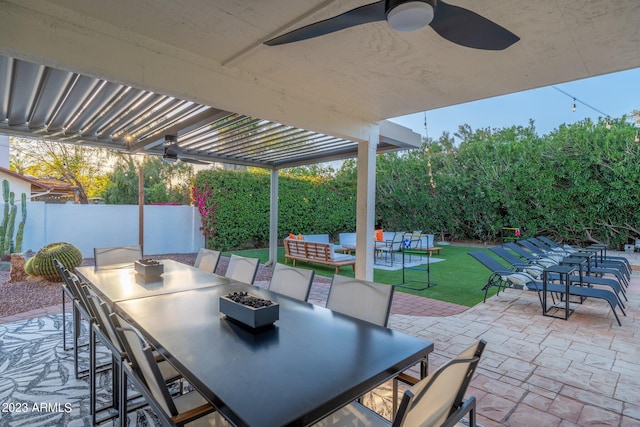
120 282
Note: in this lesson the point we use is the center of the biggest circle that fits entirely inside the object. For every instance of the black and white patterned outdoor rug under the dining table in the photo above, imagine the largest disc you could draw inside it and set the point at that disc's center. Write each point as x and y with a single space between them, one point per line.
38 385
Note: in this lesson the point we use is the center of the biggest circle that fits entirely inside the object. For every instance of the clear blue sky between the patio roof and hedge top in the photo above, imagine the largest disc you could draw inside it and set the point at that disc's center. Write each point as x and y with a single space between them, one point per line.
612 94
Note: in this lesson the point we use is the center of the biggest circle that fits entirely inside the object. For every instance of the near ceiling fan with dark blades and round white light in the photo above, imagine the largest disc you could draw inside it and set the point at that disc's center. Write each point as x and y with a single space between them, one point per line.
456 24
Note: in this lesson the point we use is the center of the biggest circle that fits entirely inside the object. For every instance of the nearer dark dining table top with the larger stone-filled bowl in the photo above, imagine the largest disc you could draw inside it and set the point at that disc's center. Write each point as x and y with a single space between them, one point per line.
311 362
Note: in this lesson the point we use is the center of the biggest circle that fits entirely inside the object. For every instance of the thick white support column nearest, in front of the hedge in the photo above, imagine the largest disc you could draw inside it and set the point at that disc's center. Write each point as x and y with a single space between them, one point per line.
366 205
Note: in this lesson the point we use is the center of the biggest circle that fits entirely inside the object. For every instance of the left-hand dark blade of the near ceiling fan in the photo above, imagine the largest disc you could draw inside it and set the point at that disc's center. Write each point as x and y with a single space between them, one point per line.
361 15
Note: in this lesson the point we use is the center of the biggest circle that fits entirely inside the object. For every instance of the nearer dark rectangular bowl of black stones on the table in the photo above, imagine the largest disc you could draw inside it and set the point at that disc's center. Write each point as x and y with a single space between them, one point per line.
249 310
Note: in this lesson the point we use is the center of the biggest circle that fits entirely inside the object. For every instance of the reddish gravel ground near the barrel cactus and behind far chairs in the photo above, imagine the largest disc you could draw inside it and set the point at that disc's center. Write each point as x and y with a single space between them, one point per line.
36 293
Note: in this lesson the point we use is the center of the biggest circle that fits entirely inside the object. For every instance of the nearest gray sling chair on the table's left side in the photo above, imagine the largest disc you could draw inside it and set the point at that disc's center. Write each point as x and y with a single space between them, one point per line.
145 374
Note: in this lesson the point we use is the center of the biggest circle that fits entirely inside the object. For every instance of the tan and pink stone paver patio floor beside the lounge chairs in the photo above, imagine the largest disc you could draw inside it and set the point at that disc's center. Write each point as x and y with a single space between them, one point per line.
535 371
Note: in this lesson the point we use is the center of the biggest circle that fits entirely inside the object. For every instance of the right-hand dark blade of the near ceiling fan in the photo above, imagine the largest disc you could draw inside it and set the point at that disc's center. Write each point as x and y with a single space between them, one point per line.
467 28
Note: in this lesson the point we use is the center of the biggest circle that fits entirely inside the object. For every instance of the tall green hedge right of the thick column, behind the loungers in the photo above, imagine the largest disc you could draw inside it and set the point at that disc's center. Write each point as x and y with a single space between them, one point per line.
577 184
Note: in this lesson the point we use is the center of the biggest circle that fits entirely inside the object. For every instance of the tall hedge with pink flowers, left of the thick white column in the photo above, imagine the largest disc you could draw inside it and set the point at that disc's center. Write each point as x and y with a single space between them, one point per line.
234 206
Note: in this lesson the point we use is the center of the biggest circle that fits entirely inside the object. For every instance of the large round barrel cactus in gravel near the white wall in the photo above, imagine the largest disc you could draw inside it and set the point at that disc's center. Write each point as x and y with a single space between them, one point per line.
41 264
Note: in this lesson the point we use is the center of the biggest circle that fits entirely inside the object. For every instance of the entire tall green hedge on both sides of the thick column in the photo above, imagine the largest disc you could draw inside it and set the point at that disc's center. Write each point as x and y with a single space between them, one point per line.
578 184
